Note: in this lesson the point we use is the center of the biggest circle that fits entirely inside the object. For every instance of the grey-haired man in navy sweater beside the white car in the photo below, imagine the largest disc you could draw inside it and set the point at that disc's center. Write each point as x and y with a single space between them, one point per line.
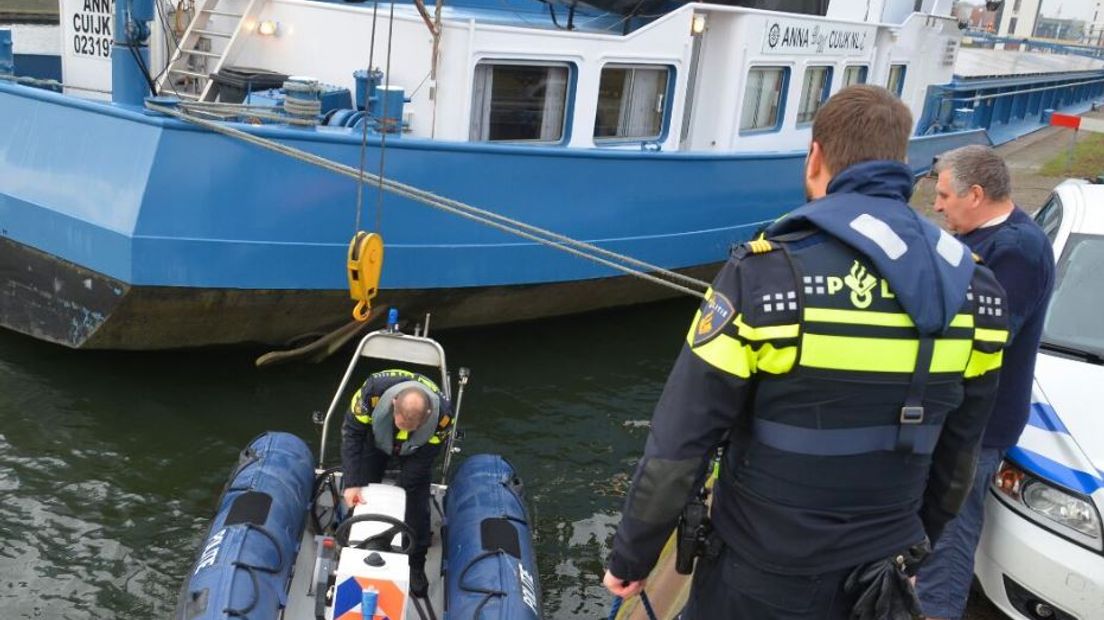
974 196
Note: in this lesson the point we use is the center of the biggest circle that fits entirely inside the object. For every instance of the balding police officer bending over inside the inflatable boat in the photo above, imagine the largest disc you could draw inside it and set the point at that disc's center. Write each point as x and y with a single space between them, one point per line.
405 416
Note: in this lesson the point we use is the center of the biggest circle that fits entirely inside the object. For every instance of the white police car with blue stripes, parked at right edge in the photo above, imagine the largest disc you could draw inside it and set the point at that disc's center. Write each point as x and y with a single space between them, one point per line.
1042 554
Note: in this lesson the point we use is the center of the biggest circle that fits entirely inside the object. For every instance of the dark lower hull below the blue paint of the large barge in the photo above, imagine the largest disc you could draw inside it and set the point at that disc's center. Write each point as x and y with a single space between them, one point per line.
65 304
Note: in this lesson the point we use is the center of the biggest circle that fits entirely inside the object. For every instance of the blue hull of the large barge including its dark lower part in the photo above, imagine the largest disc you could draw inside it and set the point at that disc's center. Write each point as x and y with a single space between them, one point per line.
165 237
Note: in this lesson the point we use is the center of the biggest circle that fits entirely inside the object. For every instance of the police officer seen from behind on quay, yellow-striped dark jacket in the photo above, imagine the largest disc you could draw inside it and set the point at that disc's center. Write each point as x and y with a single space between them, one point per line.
847 362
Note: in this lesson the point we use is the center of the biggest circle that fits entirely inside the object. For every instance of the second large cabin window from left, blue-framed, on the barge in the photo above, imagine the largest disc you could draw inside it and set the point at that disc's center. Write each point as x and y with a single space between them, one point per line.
632 102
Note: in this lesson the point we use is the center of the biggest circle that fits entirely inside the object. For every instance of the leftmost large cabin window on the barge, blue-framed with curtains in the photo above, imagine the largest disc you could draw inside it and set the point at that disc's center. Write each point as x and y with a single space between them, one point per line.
514 102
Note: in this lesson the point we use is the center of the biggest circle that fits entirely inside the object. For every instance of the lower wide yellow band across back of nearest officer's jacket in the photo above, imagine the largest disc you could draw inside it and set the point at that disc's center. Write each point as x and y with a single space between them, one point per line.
880 355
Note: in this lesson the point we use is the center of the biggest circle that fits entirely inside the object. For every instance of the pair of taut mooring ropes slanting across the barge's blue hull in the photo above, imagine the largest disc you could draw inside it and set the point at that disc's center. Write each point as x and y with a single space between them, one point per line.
628 265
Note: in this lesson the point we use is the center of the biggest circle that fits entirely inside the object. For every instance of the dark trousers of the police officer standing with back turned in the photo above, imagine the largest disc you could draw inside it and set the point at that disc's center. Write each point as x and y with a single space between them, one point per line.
731 587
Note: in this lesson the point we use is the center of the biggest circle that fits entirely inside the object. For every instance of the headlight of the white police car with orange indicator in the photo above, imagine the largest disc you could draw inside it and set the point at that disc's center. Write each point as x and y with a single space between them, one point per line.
1063 511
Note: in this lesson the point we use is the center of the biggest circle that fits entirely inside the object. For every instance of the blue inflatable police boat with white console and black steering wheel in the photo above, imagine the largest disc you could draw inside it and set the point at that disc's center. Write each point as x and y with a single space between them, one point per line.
283 547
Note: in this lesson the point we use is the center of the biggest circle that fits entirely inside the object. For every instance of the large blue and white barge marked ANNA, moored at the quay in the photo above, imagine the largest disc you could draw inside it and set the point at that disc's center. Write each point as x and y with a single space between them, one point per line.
665 132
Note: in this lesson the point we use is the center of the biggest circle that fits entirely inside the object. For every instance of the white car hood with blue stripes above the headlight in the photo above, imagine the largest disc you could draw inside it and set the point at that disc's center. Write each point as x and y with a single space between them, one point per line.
1065 439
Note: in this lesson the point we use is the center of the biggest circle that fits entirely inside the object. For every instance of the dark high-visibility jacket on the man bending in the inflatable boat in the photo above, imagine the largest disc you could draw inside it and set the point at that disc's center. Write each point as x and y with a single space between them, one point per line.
369 424
